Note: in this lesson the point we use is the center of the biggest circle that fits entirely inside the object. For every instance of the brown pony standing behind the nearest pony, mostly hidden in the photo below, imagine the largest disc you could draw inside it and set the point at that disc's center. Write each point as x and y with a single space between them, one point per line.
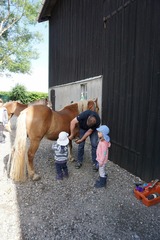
15 108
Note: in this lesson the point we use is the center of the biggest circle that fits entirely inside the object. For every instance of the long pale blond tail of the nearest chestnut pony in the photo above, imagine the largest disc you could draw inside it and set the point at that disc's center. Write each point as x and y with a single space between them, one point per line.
18 153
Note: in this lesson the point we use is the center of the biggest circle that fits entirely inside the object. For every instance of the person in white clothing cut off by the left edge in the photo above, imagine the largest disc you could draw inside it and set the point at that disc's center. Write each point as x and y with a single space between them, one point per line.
3 121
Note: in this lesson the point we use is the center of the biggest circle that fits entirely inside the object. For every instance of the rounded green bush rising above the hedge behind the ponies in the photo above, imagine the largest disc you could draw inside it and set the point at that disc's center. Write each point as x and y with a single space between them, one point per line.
19 93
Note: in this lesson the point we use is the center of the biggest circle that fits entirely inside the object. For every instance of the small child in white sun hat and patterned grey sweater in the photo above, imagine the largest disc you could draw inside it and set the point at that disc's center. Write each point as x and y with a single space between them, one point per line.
61 155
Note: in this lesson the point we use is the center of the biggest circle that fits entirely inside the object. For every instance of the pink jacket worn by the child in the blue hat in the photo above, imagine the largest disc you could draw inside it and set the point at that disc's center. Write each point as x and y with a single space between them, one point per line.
102 152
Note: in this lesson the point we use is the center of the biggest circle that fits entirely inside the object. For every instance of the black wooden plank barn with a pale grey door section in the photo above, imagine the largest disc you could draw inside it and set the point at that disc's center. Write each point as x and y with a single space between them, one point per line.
110 49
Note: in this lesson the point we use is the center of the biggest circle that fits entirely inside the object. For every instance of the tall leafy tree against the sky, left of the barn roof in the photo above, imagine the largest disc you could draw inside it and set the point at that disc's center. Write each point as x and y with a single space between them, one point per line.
17 40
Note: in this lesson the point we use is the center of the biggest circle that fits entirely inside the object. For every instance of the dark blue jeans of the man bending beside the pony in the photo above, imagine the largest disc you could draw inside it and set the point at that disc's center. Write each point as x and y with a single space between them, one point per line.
94 143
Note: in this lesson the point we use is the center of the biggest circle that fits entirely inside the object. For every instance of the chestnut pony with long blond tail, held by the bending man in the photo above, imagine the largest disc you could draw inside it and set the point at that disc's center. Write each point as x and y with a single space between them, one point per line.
36 122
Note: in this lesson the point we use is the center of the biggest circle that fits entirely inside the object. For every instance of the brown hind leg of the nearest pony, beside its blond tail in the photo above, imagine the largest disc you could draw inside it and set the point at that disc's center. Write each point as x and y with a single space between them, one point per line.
31 153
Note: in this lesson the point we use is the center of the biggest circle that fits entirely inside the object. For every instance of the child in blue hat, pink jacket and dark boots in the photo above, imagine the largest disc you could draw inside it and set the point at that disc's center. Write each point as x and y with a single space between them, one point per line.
102 154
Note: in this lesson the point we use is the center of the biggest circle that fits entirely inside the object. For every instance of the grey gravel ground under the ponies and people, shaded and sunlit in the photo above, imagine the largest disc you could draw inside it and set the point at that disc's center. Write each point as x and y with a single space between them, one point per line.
72 208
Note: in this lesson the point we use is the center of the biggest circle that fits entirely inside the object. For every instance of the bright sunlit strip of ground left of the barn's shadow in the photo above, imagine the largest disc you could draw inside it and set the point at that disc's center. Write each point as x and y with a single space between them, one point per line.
9 219
